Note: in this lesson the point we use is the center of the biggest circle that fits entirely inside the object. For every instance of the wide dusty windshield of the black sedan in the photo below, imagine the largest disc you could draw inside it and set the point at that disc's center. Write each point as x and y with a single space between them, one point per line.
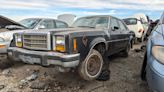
92 22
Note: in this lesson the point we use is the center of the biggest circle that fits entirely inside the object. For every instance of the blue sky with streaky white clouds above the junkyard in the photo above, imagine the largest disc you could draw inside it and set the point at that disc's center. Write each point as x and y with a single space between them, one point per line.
20 9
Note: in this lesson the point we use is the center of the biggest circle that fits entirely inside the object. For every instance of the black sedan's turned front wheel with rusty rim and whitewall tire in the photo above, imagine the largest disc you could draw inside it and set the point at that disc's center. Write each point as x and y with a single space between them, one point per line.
91 67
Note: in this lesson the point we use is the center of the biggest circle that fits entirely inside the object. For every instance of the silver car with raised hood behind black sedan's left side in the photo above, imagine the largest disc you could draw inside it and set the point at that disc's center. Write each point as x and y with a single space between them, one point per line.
6 35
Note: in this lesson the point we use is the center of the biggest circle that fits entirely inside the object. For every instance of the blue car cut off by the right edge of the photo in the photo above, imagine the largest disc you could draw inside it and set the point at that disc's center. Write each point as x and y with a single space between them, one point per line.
153 64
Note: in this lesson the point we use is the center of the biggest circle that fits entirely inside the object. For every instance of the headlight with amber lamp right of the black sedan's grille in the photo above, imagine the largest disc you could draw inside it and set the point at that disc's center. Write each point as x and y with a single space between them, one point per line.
59 43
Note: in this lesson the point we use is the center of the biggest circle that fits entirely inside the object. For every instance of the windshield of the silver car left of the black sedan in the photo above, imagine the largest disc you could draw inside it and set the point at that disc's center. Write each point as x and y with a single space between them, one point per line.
29 23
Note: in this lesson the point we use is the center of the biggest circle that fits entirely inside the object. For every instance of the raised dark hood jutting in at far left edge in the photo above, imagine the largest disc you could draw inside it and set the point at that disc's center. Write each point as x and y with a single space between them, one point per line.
6 21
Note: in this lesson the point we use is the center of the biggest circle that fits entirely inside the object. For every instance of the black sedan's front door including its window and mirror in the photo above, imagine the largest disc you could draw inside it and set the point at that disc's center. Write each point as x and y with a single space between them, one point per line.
115 36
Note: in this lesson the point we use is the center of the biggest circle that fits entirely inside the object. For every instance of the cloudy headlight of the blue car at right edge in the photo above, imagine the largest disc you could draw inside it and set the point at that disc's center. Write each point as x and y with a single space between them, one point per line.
158 53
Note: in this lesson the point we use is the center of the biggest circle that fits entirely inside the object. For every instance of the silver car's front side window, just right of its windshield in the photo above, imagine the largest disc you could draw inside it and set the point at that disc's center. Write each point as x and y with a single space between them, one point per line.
48 24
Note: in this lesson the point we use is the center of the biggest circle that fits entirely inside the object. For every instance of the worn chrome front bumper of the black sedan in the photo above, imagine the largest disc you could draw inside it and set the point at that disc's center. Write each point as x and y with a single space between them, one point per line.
43 58
